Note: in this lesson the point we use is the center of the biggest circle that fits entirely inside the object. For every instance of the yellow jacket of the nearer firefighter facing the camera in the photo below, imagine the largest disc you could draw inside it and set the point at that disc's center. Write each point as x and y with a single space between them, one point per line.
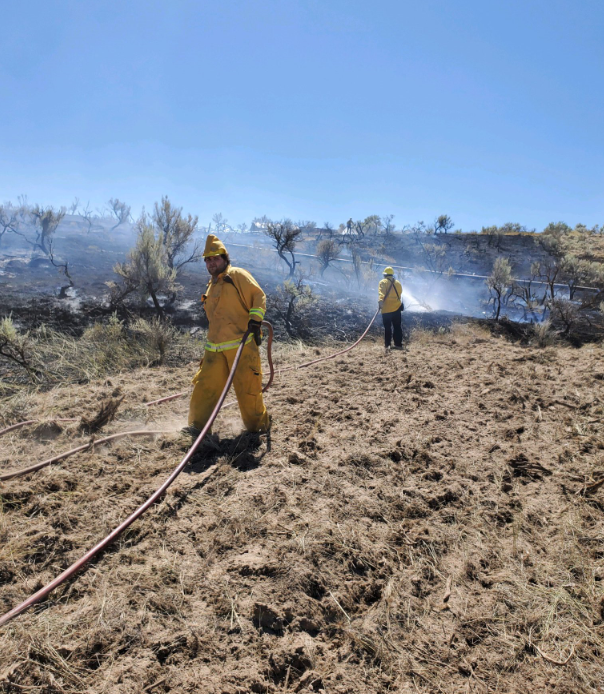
230 302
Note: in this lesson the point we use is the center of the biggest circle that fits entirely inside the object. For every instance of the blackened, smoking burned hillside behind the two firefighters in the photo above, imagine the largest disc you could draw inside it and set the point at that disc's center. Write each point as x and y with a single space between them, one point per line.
440 272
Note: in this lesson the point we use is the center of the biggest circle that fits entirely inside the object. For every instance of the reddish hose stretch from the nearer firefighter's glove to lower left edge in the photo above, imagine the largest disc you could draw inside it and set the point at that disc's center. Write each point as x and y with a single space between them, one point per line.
76 566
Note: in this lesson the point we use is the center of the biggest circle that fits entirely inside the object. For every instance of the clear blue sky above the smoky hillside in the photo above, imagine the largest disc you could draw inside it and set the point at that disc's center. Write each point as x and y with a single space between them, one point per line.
487 111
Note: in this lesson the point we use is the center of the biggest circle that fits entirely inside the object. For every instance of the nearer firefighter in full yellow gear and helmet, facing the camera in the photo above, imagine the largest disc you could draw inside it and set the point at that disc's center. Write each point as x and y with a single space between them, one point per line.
233 302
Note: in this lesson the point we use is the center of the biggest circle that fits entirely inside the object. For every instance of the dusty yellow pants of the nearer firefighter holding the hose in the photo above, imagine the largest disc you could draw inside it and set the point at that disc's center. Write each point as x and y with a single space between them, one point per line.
211 378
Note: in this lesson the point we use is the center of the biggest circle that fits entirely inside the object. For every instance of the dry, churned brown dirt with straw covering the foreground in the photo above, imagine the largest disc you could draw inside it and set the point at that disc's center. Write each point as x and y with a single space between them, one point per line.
415 522
